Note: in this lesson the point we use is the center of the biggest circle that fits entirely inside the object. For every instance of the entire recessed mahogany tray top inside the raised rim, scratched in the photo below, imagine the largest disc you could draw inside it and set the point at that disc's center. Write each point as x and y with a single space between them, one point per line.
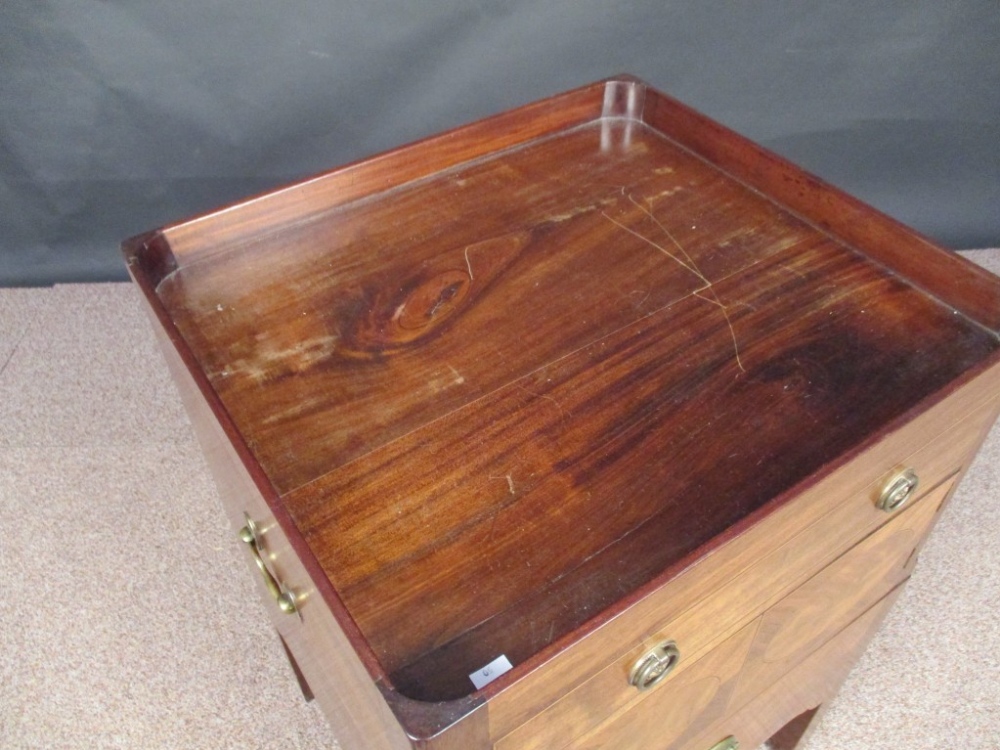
474 352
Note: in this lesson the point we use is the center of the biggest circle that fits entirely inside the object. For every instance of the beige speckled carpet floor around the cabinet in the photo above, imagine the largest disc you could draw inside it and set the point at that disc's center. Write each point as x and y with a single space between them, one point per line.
128 619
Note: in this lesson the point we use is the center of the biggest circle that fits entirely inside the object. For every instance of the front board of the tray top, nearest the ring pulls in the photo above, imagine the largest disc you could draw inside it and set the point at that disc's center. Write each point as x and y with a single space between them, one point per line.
633 460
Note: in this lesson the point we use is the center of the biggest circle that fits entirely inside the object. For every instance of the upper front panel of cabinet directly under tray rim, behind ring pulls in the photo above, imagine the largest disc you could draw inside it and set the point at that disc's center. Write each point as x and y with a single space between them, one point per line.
743 577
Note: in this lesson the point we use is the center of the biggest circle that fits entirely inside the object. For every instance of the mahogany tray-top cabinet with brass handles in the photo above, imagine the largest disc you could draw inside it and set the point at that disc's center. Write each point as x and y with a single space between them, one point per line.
548 384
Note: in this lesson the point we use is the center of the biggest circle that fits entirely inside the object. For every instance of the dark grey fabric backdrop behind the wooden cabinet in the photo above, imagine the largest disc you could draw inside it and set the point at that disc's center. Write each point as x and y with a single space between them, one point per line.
116 117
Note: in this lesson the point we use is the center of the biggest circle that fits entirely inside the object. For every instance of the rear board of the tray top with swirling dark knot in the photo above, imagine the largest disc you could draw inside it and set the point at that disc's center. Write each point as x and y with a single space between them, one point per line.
392 314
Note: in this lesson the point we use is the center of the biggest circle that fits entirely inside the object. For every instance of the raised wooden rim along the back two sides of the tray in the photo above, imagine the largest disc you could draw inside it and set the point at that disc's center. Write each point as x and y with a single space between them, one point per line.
878 236
